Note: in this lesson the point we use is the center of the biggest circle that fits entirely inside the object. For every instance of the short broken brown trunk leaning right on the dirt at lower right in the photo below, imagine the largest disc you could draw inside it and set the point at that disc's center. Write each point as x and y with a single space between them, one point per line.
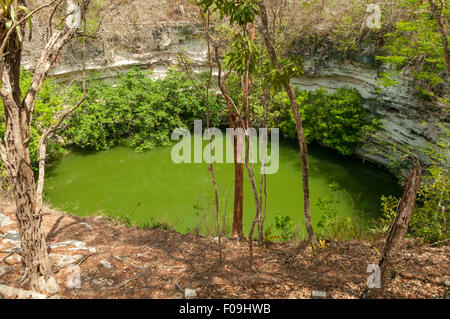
397 231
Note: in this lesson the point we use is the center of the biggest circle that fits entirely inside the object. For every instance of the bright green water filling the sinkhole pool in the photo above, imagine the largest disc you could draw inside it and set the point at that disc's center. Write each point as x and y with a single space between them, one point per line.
148 187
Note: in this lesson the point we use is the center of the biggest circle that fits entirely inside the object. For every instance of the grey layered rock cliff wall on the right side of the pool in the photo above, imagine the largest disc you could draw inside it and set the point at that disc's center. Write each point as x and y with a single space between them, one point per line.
407 121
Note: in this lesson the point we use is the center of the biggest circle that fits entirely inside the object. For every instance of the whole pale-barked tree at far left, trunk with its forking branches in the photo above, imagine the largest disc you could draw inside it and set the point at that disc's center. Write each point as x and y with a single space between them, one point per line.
15 151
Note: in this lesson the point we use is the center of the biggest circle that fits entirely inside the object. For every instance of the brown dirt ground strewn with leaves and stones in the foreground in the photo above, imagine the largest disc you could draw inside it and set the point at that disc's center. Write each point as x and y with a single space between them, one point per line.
119 262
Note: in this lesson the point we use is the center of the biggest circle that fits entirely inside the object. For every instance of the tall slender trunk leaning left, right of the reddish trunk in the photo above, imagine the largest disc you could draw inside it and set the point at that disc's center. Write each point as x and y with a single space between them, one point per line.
298 124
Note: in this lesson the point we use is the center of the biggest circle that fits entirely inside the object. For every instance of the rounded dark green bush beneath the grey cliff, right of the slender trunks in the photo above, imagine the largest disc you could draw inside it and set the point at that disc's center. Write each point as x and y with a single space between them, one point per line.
338 120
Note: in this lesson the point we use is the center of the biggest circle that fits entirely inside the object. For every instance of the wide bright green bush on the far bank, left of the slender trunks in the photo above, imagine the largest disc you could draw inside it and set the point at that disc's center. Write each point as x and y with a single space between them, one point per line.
136 107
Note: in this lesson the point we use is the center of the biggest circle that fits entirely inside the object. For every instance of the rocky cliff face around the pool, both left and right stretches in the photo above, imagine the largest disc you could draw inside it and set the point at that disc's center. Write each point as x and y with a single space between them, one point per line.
407 122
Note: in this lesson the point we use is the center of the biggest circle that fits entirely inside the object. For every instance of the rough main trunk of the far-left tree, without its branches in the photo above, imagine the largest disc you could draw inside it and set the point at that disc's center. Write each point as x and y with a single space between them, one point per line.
29 218
